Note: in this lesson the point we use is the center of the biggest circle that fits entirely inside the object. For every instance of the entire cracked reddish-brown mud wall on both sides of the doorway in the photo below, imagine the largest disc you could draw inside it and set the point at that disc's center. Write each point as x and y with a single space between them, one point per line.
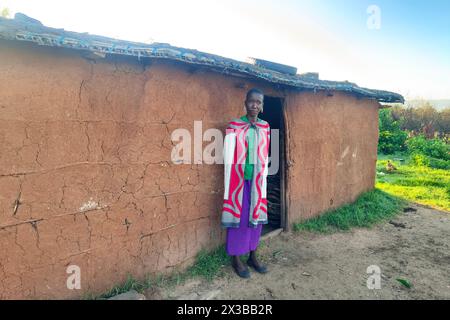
86 177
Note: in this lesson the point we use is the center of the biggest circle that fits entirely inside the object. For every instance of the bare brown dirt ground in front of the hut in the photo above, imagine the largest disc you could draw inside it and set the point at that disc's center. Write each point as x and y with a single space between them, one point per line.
413 246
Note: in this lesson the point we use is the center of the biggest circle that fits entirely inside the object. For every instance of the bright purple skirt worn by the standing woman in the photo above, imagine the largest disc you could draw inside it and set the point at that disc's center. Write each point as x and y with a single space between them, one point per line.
244 239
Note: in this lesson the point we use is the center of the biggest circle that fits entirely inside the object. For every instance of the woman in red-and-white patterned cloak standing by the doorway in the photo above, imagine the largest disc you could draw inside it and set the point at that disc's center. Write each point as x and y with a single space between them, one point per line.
245 194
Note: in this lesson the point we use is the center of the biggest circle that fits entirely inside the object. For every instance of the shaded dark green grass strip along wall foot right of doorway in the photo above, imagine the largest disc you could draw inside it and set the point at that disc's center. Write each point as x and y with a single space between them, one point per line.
368 209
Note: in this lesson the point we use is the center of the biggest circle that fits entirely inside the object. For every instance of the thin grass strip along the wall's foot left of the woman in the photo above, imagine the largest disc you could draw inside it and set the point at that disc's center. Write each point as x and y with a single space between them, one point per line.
207 265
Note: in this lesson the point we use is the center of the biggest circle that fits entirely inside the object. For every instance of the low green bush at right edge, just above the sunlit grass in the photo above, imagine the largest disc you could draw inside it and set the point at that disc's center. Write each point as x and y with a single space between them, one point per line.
434 148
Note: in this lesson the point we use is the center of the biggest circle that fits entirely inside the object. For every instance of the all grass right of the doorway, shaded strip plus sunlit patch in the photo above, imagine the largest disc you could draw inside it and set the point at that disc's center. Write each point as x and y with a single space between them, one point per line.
424 185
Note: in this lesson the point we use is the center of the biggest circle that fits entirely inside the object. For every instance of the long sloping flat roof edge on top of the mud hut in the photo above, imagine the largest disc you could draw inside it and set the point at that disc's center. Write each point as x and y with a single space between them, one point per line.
23 28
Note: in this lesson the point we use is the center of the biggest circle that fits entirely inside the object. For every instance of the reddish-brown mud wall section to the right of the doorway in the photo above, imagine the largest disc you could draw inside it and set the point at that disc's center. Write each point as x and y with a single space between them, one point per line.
332 147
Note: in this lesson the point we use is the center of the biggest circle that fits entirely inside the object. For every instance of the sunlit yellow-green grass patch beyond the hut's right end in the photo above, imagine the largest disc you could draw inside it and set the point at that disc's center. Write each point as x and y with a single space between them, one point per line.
424 185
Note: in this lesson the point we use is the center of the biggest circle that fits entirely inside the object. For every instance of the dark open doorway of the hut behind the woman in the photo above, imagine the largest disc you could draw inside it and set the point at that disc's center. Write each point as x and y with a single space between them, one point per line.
273 113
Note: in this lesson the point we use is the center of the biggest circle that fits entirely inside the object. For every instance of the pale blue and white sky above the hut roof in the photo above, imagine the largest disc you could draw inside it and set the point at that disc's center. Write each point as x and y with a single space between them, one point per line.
396 45
